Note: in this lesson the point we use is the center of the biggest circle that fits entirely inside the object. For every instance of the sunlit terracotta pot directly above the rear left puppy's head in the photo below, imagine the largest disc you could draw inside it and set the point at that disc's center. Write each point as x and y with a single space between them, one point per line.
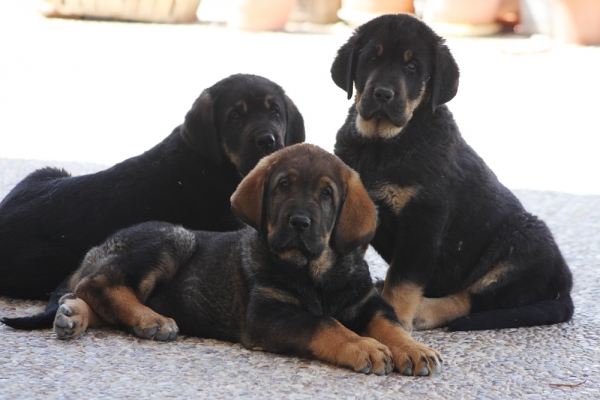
260 15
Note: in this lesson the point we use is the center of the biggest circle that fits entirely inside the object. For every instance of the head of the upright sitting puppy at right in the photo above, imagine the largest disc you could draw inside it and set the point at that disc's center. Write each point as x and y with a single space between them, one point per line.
398 65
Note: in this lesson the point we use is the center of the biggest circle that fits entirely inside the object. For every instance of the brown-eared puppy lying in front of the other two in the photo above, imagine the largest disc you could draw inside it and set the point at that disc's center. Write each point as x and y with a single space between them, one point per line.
295 284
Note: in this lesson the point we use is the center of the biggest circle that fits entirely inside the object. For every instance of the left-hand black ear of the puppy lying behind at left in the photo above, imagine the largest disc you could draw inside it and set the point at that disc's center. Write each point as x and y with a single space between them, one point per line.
199 130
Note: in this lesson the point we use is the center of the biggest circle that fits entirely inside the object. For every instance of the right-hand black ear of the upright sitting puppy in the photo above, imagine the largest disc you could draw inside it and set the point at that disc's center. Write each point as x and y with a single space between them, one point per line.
445 76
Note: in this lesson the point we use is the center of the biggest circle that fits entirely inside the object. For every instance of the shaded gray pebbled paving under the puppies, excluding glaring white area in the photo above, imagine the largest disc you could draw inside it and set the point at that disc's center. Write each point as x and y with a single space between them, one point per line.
542 362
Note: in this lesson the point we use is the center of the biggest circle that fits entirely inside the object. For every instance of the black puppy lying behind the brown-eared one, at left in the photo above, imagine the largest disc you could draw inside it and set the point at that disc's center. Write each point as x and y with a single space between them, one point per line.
50 220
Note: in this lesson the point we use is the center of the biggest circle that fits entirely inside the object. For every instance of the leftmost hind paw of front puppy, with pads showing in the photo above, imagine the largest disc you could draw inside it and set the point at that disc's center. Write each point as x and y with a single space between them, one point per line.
73 317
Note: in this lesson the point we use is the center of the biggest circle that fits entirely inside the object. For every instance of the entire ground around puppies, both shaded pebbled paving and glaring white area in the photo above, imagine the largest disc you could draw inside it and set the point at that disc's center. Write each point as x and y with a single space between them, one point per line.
88 94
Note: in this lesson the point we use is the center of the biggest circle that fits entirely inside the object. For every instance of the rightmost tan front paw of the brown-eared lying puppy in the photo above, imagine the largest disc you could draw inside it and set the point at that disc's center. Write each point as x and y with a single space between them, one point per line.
416 359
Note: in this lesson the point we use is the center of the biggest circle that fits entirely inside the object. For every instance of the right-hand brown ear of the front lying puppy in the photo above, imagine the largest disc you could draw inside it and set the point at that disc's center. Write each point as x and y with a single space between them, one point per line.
357 219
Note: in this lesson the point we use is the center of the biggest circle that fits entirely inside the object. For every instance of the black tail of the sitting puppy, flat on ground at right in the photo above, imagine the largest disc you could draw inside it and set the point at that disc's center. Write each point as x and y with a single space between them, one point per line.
546 312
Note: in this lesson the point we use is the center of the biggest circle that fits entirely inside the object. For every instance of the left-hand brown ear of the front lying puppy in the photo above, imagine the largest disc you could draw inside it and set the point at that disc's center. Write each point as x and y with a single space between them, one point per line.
249 199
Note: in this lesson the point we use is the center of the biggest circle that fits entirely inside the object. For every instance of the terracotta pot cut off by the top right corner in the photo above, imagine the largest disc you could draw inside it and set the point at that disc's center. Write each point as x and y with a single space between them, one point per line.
576 21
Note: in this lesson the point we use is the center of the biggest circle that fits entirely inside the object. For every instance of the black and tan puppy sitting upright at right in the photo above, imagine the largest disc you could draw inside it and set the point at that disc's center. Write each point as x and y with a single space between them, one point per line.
463 252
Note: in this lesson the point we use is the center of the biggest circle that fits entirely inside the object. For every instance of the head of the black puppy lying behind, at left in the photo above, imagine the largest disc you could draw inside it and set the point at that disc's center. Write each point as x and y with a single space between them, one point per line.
243 118
